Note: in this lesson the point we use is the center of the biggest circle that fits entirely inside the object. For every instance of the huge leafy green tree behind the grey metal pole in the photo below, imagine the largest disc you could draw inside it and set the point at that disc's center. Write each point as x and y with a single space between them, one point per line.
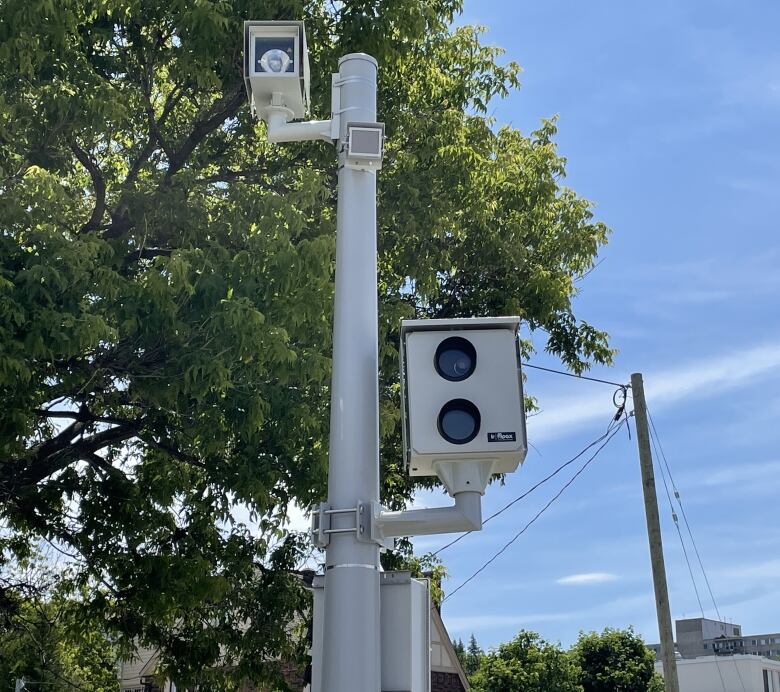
166 281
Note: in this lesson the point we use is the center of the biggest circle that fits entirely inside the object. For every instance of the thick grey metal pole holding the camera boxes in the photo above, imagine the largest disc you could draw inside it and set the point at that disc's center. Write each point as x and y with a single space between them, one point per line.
351 647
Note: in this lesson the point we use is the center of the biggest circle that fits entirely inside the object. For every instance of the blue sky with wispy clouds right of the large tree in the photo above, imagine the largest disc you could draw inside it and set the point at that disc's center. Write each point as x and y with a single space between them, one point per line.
670 120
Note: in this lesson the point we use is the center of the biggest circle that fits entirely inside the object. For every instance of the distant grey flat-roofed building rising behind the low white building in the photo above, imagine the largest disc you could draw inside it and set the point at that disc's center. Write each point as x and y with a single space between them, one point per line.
705 637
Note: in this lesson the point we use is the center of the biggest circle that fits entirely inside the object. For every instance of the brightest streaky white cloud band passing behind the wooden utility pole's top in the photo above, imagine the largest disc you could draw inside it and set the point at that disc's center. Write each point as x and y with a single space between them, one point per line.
697 379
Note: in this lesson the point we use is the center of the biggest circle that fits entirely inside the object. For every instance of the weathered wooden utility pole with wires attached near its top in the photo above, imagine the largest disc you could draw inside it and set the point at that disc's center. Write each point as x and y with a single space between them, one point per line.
654 536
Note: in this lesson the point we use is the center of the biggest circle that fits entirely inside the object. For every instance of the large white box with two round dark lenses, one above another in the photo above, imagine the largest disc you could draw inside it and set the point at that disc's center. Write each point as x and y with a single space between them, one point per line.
462 394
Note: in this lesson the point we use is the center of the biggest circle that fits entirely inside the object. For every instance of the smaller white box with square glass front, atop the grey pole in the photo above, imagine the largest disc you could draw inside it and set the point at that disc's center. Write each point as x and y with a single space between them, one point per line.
276 67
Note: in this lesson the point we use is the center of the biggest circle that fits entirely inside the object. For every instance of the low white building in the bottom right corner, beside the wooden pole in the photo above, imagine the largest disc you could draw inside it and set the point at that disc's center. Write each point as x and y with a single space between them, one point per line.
738 673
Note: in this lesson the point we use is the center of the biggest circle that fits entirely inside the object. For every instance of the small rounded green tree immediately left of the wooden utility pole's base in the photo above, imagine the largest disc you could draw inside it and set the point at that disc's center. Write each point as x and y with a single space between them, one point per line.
615 661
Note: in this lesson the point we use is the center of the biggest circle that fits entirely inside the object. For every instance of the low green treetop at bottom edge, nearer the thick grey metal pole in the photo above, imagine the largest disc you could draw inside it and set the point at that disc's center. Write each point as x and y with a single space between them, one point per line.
527 664
